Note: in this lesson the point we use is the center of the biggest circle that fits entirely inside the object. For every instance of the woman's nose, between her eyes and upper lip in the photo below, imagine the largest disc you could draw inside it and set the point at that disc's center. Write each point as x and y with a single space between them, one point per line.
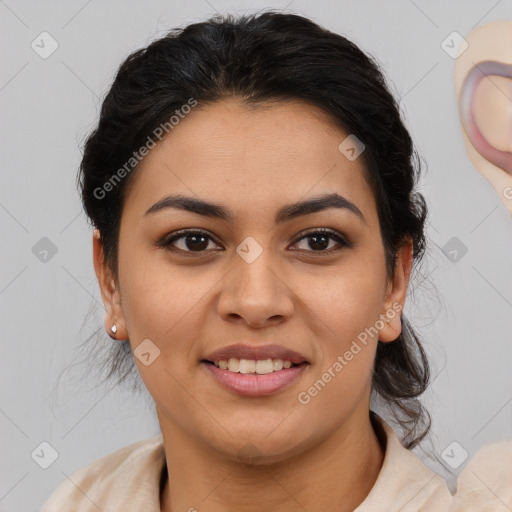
256 293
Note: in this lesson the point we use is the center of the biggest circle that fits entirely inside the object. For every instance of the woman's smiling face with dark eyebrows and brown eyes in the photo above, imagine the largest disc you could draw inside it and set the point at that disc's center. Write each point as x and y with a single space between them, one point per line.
258 273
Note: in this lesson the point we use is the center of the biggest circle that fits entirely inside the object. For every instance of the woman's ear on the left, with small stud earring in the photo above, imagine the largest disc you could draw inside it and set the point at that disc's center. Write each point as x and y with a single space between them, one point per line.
109 291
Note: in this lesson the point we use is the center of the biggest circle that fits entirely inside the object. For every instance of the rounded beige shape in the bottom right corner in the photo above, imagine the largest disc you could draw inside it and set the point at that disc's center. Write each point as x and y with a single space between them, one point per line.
485 484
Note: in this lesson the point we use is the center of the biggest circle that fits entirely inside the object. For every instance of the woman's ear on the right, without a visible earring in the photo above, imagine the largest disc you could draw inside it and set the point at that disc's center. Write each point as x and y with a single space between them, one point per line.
395 294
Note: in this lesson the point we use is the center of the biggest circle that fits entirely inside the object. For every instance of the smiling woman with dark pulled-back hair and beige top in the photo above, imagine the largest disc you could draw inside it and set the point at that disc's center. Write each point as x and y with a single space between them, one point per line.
252 189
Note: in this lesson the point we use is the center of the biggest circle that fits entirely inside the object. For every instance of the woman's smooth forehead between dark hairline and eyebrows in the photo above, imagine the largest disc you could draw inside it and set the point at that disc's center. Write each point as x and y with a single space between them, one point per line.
255 156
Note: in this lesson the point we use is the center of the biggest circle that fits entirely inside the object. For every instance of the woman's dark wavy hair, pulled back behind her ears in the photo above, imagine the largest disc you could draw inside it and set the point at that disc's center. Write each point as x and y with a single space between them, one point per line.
257 58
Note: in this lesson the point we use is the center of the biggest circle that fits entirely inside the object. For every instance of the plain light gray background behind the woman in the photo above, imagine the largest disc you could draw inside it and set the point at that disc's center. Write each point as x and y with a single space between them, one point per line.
462 309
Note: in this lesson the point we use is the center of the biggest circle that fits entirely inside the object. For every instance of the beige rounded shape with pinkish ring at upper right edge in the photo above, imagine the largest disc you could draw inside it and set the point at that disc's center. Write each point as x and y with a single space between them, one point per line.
483 83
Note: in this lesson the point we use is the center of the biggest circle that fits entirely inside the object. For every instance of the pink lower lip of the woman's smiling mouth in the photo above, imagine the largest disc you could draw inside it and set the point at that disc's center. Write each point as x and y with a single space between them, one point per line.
253 384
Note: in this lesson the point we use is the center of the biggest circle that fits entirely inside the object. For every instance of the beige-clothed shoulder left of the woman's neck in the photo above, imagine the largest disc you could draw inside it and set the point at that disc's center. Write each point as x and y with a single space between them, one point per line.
109 483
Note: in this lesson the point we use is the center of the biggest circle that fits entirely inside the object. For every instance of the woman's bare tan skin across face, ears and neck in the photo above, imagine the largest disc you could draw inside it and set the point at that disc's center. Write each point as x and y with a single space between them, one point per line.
321 456
